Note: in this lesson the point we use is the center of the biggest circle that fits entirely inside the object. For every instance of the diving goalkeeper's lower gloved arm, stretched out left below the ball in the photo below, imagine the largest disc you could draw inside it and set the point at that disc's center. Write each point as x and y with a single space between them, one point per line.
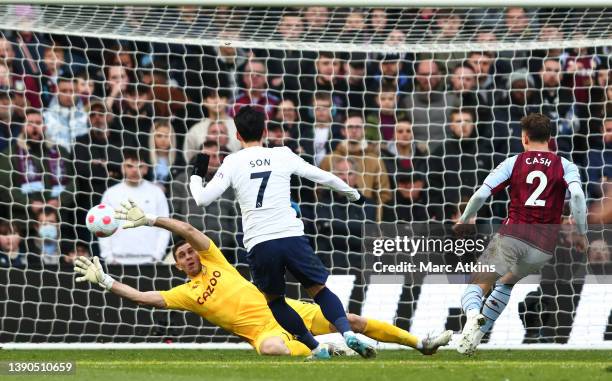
91 271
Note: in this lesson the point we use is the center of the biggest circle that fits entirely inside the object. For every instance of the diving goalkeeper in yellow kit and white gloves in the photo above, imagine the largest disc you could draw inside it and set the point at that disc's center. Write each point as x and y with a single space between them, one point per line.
218 293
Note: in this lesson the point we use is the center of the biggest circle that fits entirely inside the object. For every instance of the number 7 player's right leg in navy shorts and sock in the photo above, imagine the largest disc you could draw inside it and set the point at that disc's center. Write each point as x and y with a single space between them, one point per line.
309 270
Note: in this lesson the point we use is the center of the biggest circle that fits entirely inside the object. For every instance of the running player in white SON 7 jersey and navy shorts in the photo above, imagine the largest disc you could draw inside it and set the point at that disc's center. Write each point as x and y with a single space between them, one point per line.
273 235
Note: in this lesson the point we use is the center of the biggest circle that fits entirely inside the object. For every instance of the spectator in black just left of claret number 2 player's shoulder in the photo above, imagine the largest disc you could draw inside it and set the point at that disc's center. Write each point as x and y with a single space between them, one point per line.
457 167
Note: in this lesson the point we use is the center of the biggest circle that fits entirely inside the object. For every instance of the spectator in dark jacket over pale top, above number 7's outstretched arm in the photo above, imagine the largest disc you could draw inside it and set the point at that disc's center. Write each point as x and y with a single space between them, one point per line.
318 138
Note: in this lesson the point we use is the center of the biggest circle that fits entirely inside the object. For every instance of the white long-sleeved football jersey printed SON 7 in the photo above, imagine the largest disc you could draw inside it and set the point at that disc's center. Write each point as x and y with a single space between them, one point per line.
261 180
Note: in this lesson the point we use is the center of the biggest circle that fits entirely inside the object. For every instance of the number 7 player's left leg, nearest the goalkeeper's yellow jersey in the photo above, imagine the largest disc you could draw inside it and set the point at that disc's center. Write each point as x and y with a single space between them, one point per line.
268 272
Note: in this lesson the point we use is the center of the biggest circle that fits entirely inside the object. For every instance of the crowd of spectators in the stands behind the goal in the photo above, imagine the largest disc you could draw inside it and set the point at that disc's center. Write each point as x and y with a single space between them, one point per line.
89 120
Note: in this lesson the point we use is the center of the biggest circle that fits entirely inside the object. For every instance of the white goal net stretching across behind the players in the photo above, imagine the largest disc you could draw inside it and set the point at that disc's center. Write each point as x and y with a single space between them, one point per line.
411 106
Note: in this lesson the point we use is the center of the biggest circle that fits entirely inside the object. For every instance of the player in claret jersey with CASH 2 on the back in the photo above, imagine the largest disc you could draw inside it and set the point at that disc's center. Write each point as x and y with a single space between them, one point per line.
538 181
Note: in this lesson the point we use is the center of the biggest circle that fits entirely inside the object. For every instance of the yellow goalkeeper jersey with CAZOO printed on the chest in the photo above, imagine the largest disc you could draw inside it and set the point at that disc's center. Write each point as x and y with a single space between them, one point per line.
222 296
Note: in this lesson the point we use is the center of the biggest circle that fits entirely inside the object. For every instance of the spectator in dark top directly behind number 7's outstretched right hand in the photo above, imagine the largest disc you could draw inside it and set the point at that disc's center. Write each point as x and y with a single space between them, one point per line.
340 223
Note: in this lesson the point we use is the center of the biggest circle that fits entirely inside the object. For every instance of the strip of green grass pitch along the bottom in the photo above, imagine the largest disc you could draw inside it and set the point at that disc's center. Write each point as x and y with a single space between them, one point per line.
174 365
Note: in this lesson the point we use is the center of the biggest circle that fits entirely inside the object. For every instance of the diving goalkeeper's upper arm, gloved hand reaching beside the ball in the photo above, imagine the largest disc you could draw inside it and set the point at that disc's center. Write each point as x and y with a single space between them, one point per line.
135 217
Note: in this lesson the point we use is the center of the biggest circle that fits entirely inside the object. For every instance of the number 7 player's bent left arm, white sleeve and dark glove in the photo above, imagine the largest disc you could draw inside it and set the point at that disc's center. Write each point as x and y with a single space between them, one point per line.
204 196
